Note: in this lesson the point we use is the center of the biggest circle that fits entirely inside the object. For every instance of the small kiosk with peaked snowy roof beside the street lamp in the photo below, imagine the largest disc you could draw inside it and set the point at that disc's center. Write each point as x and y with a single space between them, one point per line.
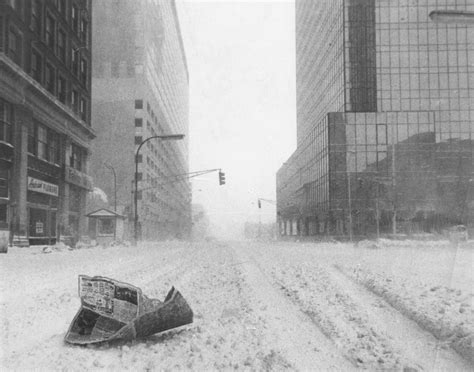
106 226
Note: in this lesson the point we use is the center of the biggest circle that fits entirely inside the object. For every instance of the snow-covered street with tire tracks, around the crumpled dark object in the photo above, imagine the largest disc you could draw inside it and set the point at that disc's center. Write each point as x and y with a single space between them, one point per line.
257 306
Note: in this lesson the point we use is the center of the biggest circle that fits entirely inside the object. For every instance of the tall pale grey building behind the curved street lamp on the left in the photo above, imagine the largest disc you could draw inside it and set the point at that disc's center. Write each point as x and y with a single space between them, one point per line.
141 89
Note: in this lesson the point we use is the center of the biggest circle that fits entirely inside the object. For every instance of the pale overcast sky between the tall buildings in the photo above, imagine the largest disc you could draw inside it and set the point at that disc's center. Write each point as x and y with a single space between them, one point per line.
241 59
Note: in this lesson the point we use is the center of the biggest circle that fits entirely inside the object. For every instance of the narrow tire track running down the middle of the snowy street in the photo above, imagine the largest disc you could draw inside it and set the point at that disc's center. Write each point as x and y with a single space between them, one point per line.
303 344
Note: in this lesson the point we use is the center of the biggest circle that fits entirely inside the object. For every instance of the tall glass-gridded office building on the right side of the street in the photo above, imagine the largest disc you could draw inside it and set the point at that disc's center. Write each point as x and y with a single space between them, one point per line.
385 121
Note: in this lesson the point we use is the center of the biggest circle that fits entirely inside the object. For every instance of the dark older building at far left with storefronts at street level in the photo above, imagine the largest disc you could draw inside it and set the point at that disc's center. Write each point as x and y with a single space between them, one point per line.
45 128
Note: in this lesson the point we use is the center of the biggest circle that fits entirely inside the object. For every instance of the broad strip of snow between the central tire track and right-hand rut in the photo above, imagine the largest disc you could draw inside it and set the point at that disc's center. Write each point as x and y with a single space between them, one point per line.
370 335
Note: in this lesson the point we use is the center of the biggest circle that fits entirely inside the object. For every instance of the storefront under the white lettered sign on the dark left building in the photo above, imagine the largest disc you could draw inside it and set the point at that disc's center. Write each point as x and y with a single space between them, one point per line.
42 211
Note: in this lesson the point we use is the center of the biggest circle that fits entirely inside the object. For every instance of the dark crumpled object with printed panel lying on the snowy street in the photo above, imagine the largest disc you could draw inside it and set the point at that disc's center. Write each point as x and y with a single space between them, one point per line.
113 310
